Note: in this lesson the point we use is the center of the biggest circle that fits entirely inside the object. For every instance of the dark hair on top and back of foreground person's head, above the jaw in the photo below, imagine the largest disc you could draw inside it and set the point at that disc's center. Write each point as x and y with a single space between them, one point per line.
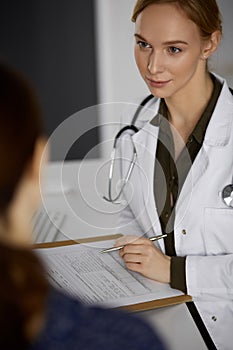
20 126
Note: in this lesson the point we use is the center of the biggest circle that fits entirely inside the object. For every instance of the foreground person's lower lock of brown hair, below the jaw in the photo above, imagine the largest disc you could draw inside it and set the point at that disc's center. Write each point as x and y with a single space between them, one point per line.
23 290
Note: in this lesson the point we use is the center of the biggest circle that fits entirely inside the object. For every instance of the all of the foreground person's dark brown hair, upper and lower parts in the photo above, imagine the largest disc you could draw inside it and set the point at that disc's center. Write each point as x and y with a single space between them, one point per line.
23 286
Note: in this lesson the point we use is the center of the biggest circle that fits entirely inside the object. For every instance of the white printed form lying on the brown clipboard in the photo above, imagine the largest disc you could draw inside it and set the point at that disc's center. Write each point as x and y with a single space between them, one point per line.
100 279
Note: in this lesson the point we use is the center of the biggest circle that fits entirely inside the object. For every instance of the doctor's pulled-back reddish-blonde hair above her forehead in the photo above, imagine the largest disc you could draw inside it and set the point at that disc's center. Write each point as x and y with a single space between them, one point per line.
204 13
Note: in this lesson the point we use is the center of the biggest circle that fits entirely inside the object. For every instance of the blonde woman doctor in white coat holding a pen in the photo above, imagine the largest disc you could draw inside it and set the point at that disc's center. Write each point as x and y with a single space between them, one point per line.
184 161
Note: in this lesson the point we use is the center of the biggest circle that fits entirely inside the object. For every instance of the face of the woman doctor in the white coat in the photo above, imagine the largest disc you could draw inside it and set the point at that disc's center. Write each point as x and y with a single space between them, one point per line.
168 50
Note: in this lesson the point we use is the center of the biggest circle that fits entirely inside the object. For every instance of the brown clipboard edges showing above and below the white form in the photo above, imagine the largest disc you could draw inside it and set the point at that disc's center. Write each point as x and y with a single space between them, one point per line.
145 306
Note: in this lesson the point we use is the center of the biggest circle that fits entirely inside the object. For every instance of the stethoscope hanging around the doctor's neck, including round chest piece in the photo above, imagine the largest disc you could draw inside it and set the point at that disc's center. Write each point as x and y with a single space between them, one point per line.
226 194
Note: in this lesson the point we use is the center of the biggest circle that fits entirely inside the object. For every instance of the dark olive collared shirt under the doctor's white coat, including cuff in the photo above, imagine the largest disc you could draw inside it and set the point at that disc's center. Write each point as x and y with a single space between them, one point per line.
169 177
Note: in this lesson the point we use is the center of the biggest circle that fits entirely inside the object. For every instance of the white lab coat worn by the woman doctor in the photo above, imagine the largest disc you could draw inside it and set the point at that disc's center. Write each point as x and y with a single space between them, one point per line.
203 223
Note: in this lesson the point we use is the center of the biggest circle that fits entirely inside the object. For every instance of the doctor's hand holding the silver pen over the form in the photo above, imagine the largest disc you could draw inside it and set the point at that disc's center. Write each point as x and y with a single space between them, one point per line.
141 255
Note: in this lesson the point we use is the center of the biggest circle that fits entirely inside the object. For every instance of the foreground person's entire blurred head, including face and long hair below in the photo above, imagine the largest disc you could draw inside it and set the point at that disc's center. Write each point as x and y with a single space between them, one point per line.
23 285
